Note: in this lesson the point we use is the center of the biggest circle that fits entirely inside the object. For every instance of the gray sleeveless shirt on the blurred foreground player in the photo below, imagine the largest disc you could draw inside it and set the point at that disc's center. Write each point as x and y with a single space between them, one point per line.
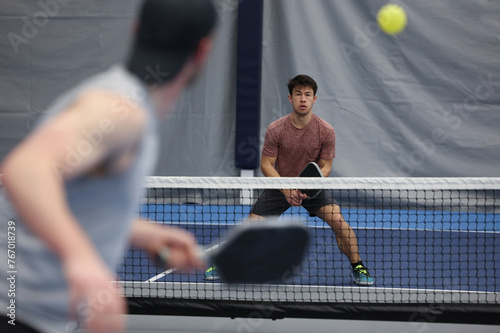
105 207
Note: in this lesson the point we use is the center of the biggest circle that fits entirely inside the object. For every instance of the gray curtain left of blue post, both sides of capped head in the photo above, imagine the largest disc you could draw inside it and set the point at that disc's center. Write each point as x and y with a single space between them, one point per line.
47 46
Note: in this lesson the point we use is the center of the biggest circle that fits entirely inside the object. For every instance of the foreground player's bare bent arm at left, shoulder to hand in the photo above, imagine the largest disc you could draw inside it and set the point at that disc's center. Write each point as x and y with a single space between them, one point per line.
39 195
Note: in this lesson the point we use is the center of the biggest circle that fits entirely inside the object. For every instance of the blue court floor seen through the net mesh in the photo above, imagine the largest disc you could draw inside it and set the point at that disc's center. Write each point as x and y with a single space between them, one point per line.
402 249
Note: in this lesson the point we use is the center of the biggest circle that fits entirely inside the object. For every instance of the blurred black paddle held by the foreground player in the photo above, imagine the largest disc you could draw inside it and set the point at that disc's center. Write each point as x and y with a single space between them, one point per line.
258 253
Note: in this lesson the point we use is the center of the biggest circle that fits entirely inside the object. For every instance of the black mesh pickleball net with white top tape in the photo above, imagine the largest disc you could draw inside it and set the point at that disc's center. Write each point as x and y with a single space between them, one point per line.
432 246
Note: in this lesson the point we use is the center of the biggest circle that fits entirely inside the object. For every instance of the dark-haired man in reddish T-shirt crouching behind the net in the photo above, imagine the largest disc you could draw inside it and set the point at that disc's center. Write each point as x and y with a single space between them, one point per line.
291 142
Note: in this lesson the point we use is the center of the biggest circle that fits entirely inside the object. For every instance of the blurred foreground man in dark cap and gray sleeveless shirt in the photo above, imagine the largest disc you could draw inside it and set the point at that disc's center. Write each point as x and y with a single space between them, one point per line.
72 187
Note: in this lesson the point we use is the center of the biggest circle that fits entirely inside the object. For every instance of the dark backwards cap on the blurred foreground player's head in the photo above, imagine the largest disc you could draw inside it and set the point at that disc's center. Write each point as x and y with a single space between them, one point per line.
168 32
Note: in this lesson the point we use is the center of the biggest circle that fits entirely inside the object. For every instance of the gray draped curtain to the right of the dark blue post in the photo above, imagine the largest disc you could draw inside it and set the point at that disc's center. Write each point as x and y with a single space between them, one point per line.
423 103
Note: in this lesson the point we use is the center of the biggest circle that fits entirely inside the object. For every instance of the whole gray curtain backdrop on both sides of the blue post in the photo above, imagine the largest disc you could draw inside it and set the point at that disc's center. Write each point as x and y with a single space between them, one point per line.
424 103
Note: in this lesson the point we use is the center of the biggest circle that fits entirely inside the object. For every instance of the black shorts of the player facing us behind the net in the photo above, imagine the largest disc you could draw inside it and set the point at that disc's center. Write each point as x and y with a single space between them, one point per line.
273 203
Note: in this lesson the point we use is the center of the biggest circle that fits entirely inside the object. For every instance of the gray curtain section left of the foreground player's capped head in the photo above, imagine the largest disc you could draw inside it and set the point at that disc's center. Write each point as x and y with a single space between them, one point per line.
48 46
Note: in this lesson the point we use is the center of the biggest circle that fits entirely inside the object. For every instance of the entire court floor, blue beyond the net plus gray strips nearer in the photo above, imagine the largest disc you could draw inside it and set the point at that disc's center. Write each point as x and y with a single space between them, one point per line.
409 253
